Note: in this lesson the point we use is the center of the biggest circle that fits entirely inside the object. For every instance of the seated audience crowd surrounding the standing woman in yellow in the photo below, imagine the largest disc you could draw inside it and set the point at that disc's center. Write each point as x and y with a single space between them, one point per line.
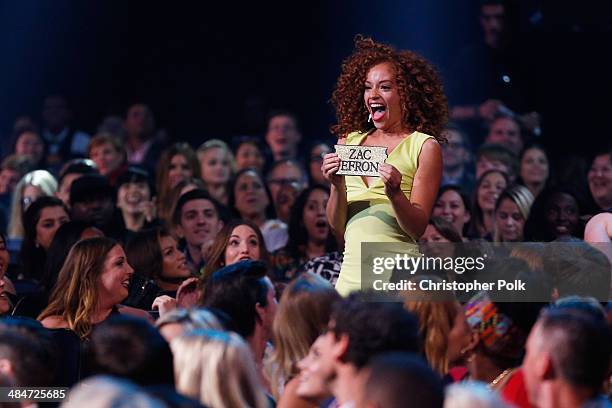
136 268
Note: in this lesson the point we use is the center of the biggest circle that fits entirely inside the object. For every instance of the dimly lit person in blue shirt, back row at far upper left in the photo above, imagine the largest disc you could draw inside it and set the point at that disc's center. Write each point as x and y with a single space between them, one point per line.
63 142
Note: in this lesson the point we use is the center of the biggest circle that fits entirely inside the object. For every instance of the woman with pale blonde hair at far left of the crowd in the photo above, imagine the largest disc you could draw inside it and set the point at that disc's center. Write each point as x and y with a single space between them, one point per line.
34 184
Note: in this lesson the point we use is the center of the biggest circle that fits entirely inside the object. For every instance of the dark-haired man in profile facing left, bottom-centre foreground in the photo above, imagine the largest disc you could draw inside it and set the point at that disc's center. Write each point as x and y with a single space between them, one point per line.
358 331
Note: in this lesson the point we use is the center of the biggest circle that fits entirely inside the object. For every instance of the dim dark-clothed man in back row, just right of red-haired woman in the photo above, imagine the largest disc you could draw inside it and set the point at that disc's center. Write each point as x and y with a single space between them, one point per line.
140 143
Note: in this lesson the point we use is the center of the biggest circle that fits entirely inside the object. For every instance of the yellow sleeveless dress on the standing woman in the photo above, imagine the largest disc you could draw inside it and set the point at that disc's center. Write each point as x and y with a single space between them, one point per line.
370 215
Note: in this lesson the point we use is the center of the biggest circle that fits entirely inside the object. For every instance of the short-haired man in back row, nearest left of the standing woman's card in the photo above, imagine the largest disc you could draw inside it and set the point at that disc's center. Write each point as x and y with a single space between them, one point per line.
283 135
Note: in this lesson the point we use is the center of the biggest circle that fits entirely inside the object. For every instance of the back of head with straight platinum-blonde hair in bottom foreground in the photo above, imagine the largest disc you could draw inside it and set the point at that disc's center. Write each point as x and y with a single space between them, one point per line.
217 368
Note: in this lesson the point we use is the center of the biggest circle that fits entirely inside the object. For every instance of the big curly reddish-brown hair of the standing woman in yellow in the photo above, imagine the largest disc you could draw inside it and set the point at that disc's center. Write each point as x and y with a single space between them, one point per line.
424 105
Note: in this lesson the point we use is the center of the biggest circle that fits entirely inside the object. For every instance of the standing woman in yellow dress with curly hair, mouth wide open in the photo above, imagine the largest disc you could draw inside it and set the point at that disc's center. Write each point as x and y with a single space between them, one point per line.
394 99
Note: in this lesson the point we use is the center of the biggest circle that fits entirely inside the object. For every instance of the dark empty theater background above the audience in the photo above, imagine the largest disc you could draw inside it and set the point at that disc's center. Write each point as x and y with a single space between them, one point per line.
213 69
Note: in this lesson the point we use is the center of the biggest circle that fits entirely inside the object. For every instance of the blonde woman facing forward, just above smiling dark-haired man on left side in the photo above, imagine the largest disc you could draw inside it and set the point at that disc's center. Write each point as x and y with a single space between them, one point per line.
217 166
